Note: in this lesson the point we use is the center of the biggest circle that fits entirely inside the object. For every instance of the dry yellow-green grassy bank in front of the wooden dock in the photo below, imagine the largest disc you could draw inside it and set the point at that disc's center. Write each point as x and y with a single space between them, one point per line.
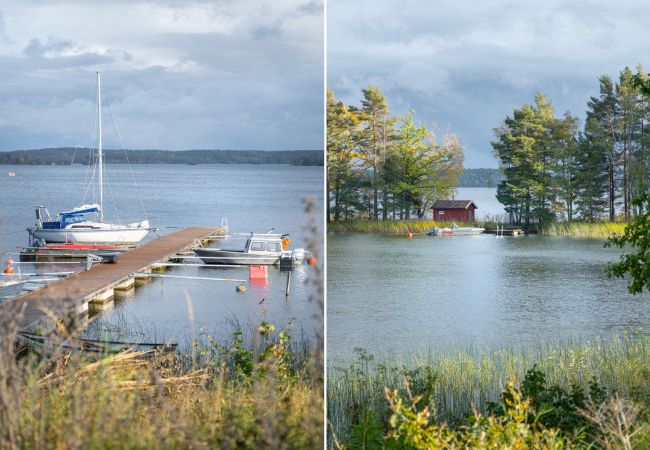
266 394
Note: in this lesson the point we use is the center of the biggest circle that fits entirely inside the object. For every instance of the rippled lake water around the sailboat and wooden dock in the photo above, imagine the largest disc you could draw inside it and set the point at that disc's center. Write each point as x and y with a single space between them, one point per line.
251 197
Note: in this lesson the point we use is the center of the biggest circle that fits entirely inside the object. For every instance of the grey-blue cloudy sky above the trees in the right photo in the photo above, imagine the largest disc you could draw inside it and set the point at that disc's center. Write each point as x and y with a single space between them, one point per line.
466 64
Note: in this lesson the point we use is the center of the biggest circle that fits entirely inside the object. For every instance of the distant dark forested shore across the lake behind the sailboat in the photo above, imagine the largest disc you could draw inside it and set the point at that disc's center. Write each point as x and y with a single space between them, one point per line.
68 156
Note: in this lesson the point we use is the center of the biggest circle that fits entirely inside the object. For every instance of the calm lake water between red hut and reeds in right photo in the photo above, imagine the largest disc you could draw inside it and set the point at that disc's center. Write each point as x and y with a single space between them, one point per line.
390 295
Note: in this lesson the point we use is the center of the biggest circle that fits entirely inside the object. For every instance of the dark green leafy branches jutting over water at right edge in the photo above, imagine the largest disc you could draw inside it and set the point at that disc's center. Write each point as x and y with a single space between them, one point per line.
636 236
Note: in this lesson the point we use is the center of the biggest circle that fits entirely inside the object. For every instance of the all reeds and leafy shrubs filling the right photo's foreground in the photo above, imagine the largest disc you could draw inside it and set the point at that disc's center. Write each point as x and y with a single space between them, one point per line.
571 393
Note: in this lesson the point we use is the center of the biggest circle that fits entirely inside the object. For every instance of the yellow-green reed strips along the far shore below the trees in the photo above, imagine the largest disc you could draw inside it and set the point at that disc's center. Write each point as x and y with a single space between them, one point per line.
598 230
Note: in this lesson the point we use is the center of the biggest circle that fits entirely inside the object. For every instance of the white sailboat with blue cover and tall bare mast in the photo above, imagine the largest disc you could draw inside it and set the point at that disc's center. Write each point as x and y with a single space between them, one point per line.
85 224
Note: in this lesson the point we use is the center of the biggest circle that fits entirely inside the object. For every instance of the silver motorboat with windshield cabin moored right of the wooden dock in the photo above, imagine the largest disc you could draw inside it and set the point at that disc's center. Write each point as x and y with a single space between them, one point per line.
260 249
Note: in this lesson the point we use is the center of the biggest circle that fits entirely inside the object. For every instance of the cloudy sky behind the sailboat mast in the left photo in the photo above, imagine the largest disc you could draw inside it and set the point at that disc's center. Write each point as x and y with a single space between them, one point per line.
238 74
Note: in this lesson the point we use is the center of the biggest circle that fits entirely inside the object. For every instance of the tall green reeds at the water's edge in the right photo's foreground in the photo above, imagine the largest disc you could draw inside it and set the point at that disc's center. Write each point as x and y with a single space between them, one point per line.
458 380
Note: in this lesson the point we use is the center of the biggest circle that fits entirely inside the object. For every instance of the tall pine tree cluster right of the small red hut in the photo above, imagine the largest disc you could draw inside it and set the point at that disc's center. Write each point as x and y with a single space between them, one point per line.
555 170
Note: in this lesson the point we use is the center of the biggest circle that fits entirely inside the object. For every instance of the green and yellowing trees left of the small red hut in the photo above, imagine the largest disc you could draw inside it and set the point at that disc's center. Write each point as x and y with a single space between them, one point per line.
381 166
